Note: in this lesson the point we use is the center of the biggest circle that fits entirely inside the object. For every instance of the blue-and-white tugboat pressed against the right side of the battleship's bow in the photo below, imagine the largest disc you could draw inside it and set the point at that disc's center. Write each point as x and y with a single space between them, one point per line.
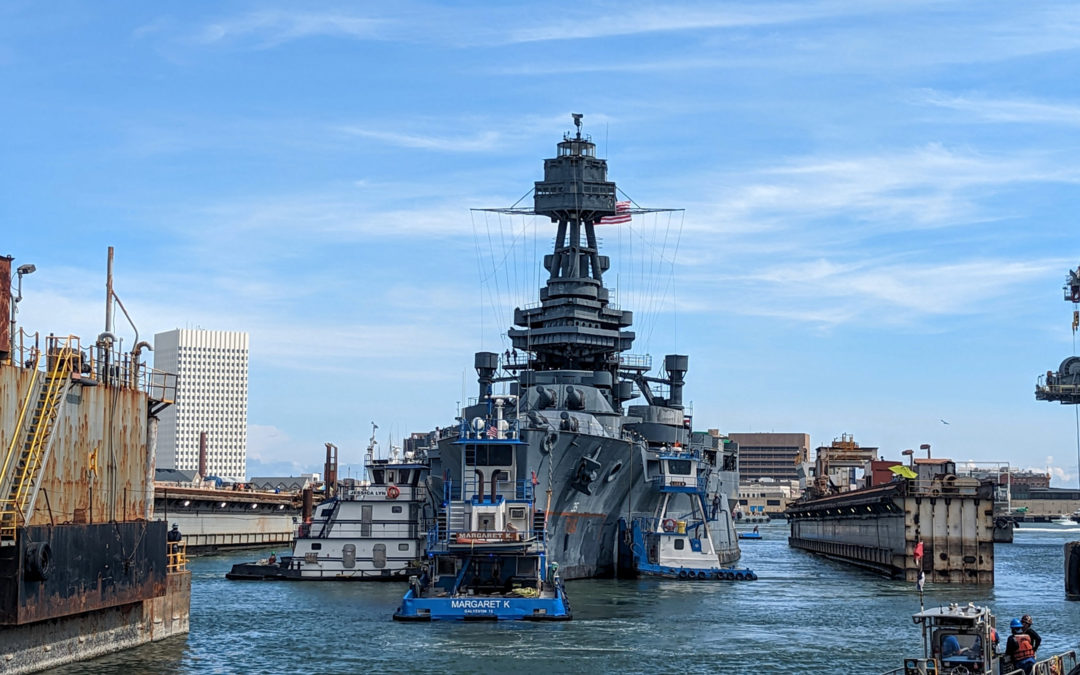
677 542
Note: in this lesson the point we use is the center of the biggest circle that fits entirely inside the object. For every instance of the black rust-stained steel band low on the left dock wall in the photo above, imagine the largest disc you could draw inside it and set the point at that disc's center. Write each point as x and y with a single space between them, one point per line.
93 568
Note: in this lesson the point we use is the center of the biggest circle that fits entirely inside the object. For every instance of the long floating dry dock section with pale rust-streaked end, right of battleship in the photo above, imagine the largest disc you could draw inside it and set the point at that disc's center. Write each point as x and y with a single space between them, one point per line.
881 528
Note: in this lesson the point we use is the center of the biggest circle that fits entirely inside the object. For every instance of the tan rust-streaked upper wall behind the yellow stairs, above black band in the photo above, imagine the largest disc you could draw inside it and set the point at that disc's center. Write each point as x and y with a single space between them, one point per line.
103 424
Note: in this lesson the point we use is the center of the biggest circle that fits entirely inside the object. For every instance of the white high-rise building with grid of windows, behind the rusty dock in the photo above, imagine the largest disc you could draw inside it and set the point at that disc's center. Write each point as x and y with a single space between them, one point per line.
211 397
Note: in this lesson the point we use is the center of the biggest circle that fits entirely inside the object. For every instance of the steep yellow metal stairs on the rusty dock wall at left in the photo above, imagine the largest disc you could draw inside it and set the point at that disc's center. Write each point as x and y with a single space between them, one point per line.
32 442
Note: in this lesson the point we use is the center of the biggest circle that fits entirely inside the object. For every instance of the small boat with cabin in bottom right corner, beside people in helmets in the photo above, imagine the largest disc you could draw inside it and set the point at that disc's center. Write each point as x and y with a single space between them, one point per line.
963 641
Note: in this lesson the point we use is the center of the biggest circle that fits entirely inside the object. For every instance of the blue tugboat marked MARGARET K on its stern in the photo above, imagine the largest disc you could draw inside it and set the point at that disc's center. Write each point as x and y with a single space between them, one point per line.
487 556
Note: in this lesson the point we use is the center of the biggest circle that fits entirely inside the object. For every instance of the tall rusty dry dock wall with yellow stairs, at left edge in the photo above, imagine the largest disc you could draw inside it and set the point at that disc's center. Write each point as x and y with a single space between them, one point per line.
85 569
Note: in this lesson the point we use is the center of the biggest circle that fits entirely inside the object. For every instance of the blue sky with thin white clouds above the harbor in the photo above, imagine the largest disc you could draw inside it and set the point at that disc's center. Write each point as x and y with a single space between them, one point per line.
881 201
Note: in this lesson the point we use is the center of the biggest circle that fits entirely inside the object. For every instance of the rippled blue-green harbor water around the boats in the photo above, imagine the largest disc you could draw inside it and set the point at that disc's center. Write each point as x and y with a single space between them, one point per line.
805 615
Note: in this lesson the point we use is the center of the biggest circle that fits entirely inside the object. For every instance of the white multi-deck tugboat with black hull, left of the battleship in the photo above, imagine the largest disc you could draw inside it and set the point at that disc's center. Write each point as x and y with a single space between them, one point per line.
373 531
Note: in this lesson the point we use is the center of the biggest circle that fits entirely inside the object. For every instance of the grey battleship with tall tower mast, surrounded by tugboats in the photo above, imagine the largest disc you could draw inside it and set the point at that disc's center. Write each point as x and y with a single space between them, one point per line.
592 456
